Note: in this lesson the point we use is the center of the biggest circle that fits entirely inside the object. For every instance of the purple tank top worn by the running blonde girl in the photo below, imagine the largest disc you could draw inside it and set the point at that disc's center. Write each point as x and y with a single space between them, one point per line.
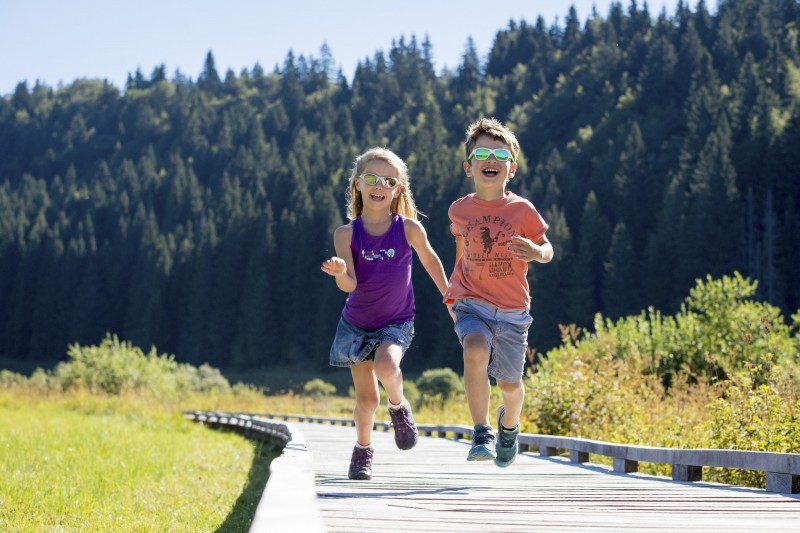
383 293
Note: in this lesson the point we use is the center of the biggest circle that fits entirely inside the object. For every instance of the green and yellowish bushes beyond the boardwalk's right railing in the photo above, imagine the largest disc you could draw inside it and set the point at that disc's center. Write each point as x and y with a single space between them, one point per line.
722 373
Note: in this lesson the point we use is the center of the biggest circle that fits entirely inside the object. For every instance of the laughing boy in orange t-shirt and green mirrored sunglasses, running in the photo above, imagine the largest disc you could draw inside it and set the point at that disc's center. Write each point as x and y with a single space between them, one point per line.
497 234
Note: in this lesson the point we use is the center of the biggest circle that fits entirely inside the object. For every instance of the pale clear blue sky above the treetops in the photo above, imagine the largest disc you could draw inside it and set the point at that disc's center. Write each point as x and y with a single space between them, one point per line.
57 41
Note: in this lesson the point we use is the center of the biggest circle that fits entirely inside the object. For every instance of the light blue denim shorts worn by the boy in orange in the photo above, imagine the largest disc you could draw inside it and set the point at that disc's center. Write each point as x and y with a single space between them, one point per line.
506 332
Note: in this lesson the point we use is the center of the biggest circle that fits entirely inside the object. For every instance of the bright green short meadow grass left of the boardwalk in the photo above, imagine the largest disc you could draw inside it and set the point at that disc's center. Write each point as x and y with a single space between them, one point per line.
84 463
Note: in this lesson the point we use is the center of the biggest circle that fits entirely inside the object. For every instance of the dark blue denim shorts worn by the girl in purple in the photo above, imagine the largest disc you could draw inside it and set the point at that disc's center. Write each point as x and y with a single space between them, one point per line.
353 345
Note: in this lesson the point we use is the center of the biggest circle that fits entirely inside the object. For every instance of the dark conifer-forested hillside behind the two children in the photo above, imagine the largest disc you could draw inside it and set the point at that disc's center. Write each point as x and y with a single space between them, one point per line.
194 214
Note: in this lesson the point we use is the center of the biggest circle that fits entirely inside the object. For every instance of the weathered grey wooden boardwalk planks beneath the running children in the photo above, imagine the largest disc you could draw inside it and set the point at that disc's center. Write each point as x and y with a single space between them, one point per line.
434 488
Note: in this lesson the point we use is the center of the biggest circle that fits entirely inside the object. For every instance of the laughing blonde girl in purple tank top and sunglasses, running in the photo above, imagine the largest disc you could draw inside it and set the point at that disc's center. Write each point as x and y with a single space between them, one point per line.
373 264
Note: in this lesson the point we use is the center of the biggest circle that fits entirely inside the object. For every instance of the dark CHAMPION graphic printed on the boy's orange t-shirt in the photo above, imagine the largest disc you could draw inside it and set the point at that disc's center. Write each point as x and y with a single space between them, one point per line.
486 241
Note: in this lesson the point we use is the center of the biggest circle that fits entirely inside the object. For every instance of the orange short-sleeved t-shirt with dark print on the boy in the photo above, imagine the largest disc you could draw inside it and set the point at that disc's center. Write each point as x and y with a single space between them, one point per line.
487 269
